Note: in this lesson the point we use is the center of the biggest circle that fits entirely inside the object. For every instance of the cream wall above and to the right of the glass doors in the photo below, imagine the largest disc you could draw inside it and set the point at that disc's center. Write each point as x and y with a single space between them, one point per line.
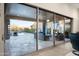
64 9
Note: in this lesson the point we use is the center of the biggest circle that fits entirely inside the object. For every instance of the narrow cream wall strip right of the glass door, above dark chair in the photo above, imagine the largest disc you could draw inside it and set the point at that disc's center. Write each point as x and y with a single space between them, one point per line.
75 15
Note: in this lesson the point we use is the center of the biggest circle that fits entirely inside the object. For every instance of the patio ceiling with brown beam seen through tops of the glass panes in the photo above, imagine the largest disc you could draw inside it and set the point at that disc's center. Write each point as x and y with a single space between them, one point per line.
23 12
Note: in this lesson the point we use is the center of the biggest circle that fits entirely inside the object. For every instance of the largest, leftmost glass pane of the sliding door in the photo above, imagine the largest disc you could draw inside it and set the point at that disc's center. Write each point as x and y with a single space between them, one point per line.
20 36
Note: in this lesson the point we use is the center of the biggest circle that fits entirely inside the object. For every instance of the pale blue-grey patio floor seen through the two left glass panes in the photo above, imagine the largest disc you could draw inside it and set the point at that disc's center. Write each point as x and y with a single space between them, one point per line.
24 43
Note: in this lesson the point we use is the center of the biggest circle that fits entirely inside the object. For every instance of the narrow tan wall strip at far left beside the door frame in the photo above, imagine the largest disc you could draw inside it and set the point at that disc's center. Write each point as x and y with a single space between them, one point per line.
1 28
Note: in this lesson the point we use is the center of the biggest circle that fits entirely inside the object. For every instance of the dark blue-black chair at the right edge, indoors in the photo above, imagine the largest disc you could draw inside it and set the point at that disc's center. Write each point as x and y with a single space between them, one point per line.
74 38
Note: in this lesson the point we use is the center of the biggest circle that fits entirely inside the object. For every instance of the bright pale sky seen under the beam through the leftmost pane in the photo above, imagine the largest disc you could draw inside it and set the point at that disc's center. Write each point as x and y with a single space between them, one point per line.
21 23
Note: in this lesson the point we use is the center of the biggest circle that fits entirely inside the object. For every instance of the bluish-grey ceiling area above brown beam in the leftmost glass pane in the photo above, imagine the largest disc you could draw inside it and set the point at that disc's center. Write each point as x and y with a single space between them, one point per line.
14 9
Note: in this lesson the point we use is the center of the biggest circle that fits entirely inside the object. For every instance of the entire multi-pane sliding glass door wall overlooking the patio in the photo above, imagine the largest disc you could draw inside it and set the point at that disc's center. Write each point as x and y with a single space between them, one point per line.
29 29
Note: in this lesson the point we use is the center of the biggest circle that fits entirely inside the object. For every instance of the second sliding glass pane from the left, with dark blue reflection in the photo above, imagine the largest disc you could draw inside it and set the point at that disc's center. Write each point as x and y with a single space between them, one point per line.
45 29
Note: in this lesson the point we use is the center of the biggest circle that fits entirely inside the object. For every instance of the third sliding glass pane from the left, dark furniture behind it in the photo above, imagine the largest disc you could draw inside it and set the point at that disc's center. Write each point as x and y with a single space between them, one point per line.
59 29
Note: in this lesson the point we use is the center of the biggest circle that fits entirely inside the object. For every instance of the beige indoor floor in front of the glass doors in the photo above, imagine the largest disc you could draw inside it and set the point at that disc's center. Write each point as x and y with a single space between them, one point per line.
60 50
